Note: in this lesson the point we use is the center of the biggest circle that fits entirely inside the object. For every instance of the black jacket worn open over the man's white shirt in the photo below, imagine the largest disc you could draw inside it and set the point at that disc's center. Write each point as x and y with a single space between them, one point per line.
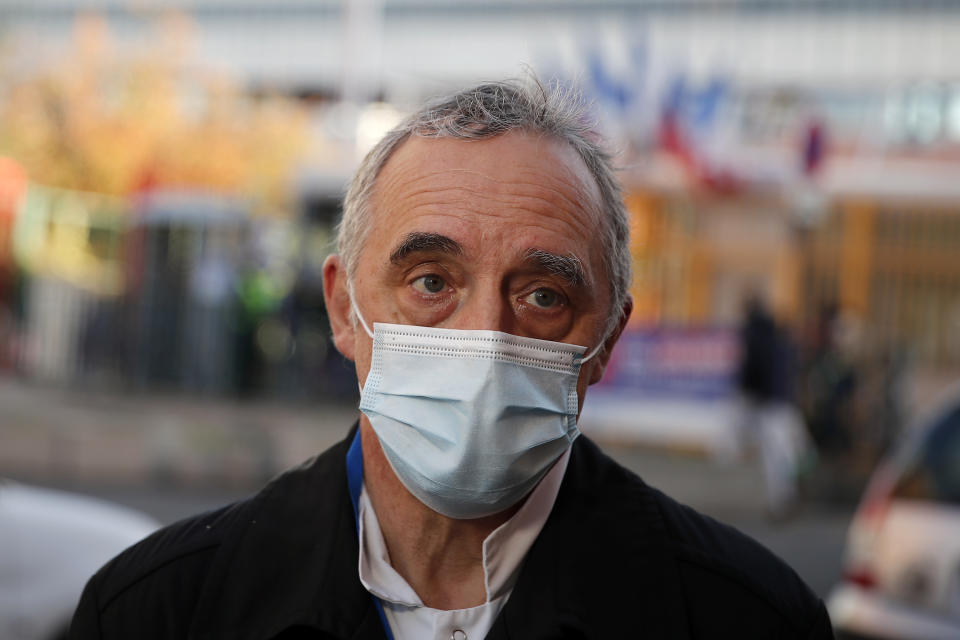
616 559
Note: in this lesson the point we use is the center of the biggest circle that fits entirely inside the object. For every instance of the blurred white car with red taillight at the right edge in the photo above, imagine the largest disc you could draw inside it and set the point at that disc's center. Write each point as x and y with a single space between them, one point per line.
902 565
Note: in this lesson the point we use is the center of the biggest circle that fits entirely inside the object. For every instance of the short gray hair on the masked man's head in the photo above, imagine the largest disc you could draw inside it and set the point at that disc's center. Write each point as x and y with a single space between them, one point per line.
486 111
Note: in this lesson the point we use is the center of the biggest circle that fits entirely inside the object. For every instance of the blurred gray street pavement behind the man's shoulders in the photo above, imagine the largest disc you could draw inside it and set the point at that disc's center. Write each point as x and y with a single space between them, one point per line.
171 456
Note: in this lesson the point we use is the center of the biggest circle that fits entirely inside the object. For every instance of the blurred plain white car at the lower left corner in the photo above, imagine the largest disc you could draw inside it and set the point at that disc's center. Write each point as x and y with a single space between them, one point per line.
51 542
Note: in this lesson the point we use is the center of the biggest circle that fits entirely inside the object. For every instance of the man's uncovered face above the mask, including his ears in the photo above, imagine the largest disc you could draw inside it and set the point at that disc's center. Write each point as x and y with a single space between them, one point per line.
500 234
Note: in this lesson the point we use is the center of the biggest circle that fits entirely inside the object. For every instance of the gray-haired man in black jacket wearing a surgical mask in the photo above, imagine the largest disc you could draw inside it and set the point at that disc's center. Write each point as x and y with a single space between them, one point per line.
480 285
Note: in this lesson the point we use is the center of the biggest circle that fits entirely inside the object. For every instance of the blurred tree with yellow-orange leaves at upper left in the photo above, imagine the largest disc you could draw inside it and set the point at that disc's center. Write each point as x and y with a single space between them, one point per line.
118 121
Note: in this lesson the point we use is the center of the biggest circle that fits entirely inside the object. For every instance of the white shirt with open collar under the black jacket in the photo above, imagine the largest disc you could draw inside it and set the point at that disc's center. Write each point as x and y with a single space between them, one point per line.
503 552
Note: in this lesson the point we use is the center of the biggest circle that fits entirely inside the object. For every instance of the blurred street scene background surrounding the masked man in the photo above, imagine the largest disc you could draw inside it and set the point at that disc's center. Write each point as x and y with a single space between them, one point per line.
171 172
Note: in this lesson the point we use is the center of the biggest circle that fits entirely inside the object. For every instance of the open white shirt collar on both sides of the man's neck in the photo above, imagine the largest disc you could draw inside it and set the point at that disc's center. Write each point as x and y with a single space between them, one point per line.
503 550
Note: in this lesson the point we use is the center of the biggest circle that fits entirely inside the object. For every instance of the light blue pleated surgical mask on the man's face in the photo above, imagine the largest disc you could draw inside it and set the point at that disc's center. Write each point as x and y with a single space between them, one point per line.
470 421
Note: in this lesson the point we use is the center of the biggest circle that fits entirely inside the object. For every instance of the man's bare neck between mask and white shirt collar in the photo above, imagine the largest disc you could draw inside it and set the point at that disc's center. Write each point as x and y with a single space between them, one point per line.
440 557
